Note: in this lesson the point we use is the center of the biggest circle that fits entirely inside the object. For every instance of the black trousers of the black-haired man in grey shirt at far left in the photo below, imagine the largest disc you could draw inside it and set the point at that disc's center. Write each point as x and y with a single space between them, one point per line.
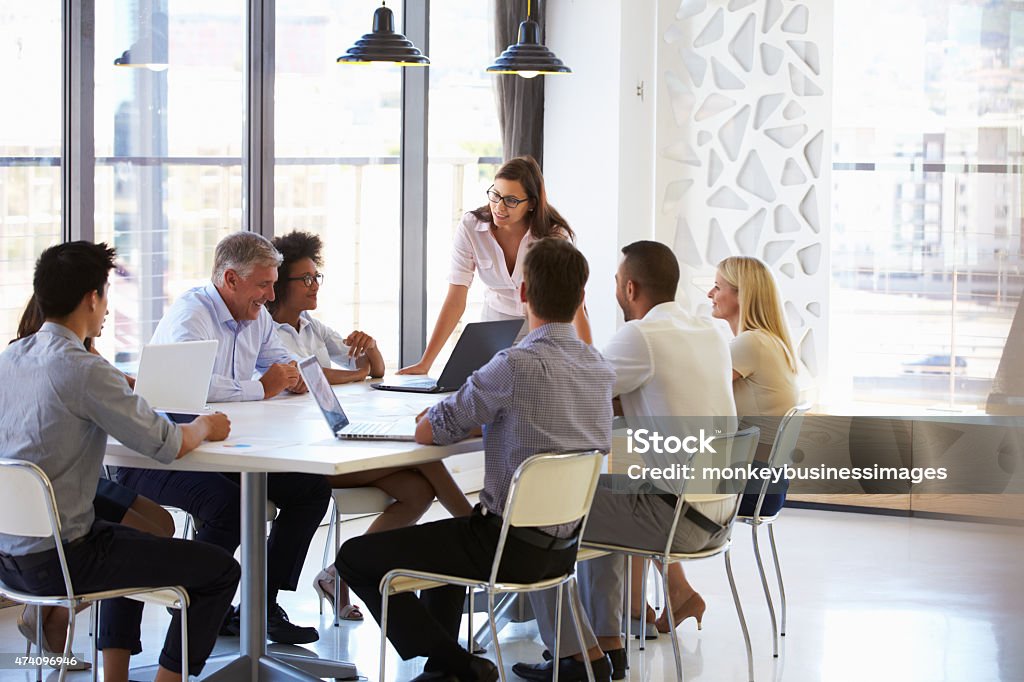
112 557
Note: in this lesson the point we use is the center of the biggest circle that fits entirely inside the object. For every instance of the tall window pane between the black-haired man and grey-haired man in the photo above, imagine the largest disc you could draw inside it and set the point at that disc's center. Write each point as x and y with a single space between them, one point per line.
169 161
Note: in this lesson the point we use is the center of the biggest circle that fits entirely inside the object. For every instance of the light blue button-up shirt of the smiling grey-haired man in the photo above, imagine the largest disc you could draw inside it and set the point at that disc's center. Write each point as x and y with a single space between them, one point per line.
247 349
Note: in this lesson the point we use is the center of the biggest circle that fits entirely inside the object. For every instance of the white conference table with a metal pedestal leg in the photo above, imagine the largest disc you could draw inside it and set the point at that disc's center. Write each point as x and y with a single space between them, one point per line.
288 434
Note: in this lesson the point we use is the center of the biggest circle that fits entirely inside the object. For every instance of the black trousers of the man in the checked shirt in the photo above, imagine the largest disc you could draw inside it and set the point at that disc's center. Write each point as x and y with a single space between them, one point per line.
429 625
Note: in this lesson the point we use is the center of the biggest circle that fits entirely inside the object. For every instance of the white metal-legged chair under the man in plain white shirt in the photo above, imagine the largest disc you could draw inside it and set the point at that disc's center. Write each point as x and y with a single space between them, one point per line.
741 447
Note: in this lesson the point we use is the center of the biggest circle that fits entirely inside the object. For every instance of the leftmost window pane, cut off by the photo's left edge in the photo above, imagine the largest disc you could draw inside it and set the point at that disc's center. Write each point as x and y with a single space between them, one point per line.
30 148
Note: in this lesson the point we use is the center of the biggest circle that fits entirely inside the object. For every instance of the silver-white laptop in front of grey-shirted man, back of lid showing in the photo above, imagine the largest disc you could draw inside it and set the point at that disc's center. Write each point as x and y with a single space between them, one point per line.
176 377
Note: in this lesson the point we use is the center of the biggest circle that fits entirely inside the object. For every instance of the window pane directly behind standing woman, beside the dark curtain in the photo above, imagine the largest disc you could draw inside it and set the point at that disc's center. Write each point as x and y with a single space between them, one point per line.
463 158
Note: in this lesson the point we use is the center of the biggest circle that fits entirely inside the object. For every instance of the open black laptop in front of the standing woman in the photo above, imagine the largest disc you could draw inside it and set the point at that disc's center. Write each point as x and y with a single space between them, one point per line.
479 344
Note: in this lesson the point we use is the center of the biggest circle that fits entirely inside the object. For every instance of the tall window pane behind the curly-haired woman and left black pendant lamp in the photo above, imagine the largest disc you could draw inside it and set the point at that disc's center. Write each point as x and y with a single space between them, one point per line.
337 136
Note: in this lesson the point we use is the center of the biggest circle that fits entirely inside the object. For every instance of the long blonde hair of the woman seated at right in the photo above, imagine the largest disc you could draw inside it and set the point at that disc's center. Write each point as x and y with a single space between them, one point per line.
760 305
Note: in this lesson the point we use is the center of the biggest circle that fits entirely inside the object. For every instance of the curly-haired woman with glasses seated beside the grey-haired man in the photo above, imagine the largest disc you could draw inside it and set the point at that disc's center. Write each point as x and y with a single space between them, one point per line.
413 489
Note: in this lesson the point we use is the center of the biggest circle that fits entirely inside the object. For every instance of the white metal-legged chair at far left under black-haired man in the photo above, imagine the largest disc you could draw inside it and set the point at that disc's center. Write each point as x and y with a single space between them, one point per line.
28 508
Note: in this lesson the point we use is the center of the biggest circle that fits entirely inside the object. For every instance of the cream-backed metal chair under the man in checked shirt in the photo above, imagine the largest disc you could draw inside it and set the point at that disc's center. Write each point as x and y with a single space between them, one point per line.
547 490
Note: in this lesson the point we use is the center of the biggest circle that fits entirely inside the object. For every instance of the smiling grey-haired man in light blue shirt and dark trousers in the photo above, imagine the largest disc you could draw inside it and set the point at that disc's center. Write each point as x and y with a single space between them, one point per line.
251 365
